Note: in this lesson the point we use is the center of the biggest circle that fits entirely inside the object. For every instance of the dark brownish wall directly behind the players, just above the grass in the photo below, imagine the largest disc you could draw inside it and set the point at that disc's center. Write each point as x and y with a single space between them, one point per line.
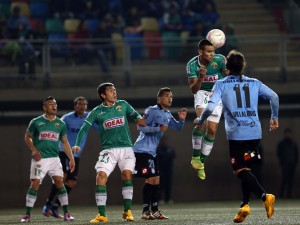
220 184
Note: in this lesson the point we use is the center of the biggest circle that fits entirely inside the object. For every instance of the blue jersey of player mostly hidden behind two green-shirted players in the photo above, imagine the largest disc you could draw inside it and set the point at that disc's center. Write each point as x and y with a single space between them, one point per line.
73 124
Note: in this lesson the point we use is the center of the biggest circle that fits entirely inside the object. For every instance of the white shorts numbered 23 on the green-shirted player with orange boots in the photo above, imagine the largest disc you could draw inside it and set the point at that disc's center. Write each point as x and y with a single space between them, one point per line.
109 158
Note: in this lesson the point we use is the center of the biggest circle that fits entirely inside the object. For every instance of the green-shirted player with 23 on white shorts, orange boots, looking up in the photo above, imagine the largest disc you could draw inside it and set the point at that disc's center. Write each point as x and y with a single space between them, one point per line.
111 116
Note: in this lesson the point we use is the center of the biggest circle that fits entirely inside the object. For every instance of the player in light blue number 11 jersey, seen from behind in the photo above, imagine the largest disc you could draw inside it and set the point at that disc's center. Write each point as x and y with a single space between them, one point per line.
239 95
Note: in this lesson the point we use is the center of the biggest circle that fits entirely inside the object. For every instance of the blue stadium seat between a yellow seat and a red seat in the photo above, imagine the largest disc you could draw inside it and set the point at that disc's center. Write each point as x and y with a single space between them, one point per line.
135 42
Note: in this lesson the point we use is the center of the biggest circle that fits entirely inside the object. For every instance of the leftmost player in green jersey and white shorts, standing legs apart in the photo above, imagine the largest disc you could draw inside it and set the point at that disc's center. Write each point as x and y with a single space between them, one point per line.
42 138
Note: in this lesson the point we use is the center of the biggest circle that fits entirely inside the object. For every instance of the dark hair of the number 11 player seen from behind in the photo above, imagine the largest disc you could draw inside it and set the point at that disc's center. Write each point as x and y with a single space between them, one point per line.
236 63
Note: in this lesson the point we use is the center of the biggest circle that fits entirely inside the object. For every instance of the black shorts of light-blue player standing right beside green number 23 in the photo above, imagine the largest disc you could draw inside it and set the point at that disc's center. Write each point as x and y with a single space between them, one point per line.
146 165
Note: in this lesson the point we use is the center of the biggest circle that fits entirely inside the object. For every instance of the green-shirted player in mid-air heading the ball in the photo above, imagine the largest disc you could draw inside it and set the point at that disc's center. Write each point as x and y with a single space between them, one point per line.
202 71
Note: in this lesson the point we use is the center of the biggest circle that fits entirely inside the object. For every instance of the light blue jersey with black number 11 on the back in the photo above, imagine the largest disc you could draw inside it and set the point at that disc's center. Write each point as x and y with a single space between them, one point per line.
240 106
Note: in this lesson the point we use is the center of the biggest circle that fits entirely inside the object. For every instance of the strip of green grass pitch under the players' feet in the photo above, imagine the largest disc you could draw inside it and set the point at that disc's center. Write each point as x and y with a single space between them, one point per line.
286 212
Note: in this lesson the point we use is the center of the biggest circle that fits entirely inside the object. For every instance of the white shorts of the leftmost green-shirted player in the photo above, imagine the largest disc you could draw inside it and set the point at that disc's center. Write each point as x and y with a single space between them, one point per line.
50 166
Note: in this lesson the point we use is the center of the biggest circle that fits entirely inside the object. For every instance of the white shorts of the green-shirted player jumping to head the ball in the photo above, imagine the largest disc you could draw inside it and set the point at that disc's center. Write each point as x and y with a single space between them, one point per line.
201 99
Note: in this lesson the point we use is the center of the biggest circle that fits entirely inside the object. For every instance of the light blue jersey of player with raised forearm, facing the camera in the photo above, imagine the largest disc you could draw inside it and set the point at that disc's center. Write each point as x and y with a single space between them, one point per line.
150 135
